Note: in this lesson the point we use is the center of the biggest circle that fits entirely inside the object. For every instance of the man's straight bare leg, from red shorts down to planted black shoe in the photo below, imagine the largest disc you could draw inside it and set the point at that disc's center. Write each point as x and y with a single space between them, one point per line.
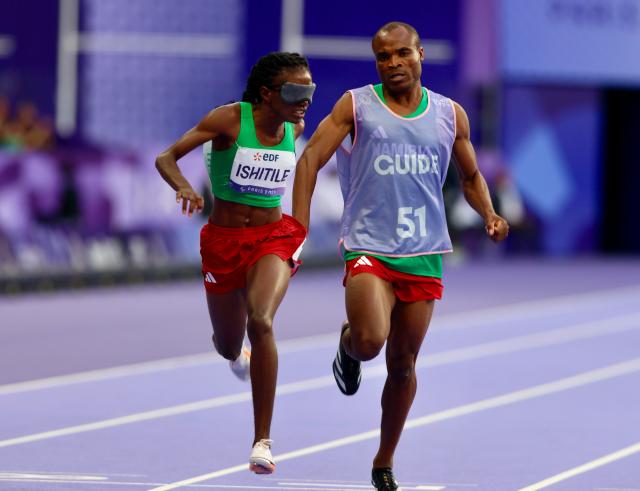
409 323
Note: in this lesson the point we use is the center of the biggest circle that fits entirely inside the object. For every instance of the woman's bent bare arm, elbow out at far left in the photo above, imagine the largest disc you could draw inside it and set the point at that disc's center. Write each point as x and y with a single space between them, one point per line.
222 123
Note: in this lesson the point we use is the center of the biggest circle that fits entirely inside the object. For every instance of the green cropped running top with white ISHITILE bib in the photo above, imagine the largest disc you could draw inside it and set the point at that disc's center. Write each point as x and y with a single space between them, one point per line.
249 172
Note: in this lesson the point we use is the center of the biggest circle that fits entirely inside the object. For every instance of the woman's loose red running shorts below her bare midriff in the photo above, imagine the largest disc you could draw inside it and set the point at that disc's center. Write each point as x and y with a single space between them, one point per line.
229 252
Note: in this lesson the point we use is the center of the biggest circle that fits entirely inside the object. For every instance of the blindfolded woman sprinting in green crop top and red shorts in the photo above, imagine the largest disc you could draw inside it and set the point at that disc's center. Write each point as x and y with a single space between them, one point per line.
249 248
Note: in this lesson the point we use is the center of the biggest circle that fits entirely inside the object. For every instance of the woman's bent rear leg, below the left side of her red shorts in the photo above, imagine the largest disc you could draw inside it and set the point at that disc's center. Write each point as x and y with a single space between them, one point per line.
228 313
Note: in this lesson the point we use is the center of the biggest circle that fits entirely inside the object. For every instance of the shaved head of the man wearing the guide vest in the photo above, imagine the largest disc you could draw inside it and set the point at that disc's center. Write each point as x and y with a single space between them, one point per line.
398 59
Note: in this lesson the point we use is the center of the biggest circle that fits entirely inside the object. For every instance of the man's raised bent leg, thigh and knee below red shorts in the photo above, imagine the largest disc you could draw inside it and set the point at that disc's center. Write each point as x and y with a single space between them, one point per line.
369 301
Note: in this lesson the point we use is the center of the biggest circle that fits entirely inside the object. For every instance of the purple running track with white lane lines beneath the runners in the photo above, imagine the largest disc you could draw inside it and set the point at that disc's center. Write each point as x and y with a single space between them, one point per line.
529 379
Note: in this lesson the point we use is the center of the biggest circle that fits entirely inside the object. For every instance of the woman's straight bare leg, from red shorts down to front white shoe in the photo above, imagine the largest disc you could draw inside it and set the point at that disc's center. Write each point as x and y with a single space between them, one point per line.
267 283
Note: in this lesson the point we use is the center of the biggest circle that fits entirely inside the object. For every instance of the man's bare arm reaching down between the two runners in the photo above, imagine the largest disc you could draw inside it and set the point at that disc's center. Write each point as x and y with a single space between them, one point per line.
323 143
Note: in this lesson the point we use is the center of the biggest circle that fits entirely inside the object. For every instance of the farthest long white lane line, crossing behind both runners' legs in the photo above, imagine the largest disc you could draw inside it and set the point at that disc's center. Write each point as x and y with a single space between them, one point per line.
546 307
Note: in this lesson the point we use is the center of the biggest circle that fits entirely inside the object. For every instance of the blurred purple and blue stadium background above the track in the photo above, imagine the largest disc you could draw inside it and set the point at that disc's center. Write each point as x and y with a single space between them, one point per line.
92 90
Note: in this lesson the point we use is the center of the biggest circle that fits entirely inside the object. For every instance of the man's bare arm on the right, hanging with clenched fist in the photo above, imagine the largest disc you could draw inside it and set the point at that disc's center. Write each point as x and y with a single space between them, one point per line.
473 184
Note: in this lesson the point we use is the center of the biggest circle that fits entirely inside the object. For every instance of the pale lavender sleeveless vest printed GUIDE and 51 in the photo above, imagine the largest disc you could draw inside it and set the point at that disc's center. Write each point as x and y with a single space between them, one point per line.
392 178
